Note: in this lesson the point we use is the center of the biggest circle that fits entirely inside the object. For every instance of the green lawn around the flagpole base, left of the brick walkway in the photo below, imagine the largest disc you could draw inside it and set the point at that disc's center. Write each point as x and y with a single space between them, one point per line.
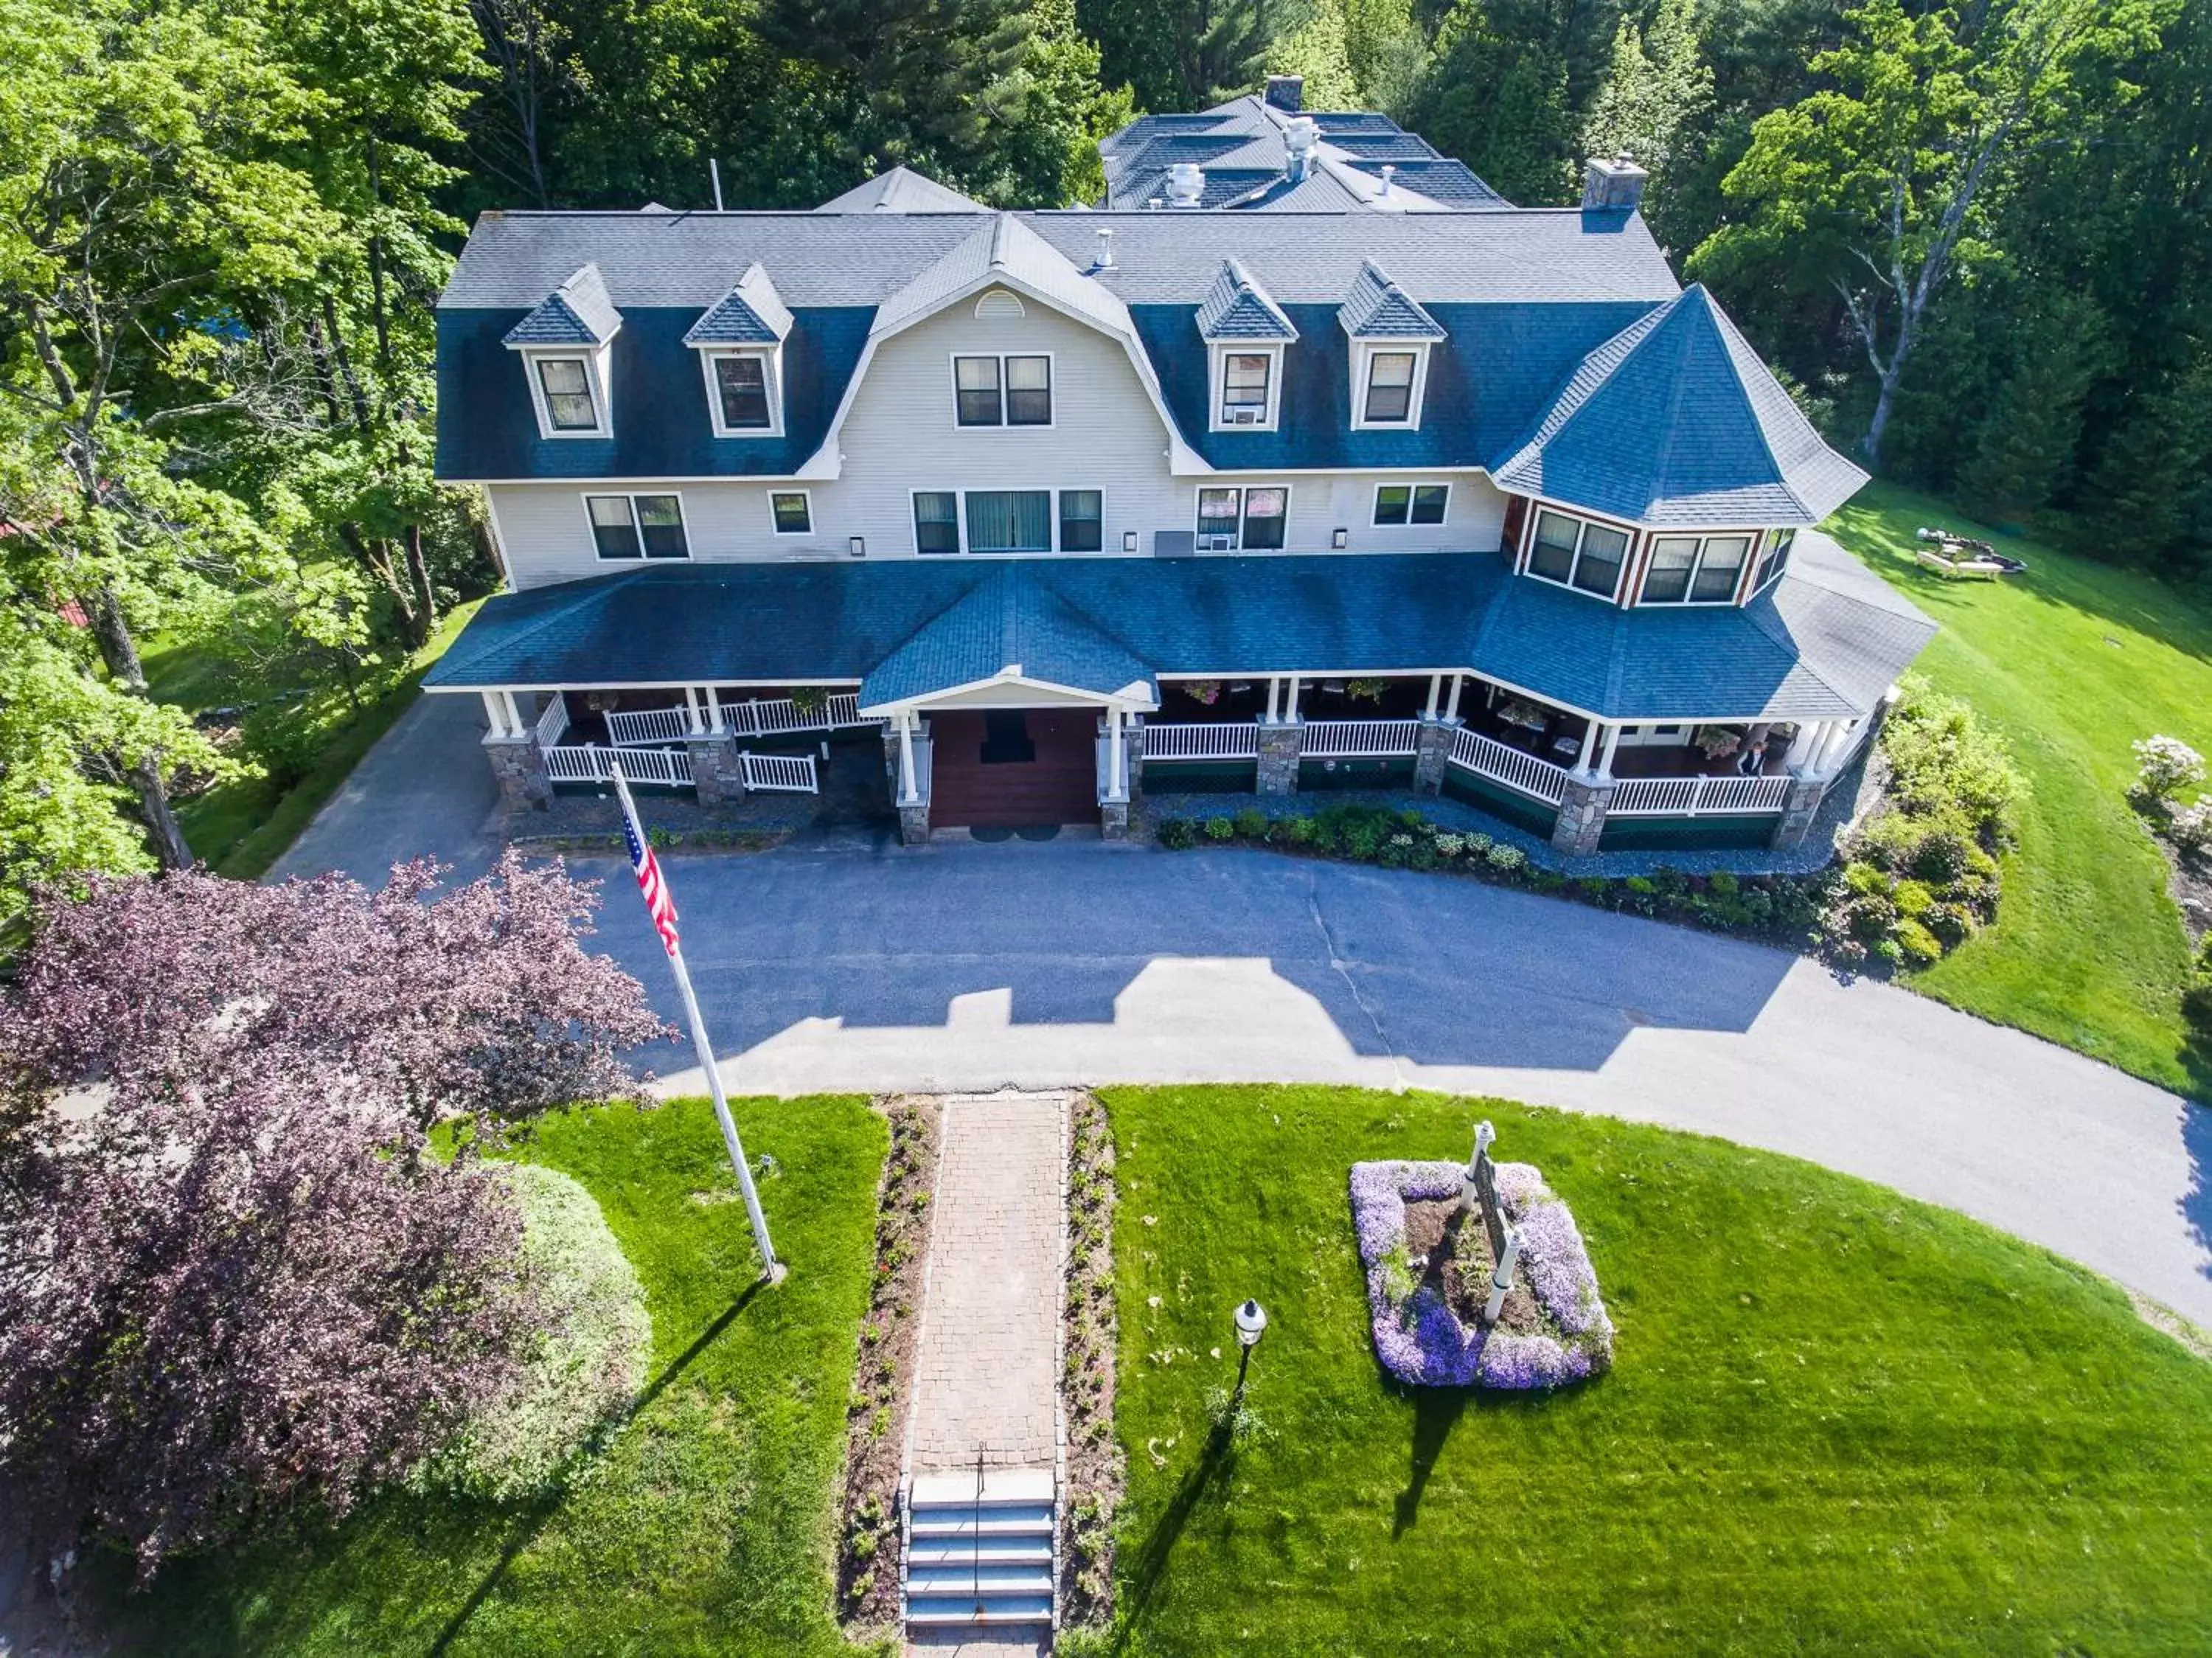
707 1526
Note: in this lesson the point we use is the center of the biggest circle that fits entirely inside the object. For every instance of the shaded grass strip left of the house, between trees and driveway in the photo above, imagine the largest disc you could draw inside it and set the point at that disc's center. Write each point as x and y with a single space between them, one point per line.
244 827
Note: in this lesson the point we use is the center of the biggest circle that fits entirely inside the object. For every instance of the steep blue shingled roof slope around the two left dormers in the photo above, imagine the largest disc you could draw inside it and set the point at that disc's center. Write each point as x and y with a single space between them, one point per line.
660 419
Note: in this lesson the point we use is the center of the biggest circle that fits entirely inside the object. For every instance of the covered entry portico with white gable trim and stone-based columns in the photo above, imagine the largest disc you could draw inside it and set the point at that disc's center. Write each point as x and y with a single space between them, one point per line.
1012 752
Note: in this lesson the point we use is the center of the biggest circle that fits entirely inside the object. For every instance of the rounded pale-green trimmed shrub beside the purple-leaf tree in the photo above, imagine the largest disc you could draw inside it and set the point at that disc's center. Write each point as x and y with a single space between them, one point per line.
589 1360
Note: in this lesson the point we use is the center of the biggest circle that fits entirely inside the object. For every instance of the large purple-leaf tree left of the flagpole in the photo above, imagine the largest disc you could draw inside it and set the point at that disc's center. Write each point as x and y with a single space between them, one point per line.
236 1285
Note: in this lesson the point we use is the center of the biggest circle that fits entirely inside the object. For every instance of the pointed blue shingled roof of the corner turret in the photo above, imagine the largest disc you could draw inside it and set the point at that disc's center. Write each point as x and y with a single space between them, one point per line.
1676 422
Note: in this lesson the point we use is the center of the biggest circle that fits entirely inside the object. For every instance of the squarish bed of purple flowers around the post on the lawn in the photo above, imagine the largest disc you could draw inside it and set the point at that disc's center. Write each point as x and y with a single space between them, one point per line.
1563 1331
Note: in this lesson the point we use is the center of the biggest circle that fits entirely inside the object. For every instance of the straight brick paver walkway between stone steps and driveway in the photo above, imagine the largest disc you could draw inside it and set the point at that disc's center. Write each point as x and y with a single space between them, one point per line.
988 1371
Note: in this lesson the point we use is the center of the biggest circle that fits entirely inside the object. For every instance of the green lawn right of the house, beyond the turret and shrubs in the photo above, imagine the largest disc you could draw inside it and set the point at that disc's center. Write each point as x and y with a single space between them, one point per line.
2072 663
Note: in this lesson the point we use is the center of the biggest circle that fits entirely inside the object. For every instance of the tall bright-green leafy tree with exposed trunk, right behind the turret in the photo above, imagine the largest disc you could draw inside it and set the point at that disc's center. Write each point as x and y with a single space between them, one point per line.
1875 185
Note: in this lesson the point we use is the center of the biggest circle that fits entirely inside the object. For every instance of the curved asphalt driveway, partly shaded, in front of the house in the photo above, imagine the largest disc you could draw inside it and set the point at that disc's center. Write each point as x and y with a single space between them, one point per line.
862 966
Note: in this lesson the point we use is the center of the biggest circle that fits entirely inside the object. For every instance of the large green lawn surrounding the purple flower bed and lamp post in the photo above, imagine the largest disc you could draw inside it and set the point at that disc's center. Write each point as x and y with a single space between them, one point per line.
1837 1420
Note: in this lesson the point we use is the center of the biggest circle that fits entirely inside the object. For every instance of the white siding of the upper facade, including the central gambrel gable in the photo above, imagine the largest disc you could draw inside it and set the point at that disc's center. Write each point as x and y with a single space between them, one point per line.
901 437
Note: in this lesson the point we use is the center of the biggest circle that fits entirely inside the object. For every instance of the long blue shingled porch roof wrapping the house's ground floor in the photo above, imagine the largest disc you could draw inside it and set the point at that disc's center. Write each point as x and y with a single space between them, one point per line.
1819 645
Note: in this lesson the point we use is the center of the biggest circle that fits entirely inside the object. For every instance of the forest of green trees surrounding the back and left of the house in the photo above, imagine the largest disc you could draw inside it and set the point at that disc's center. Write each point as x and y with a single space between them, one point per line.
1974 238
